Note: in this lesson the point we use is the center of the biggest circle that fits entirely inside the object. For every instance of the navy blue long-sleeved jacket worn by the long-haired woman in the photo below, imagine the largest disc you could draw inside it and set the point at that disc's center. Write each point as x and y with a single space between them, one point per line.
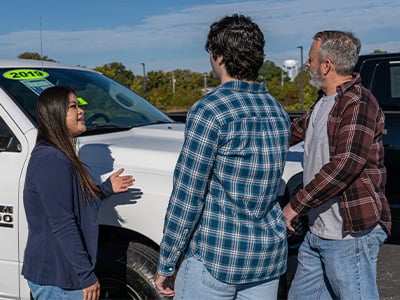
63 230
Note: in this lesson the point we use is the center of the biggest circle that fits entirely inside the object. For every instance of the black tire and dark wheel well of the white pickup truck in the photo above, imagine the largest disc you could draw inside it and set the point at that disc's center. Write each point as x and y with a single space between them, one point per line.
126 270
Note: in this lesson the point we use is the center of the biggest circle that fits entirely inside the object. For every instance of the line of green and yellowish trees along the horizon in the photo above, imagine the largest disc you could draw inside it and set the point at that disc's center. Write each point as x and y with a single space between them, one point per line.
177 90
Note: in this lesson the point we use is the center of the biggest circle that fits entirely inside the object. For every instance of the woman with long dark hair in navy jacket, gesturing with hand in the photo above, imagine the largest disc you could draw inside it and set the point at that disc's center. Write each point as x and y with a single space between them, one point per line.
60 204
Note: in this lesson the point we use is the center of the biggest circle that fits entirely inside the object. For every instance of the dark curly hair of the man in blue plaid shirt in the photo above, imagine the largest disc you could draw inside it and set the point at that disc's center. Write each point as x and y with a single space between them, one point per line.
240 42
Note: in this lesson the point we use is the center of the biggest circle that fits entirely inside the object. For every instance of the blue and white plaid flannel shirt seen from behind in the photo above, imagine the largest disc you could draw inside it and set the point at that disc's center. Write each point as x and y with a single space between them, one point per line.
223 208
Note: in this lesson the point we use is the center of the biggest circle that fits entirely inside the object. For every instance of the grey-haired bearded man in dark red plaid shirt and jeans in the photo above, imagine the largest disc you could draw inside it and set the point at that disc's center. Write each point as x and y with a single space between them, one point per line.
344 178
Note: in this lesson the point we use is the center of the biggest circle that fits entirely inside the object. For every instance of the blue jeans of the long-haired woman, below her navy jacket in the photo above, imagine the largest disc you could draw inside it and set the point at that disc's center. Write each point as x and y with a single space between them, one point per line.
47 292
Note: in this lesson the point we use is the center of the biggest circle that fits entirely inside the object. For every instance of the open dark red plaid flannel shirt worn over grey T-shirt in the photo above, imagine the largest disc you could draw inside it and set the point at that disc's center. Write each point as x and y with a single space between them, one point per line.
356 171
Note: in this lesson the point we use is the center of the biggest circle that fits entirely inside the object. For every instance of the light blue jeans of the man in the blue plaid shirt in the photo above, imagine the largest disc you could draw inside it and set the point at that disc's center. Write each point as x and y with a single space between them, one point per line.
193 282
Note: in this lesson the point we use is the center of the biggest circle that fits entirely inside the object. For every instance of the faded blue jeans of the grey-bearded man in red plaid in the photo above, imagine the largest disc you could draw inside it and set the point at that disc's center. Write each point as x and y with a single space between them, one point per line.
338 269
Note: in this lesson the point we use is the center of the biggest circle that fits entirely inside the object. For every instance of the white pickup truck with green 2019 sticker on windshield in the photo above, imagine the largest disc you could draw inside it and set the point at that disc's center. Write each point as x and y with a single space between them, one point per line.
123 130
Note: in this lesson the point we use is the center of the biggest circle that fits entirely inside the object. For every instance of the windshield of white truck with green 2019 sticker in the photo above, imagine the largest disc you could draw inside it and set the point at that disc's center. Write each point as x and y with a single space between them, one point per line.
108 105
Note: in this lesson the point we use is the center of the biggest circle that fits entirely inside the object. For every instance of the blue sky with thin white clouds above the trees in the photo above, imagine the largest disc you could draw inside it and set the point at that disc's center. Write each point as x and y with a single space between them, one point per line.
170 34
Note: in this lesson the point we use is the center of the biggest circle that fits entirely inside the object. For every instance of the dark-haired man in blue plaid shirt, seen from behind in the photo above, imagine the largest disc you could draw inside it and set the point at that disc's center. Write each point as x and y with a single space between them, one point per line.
223 217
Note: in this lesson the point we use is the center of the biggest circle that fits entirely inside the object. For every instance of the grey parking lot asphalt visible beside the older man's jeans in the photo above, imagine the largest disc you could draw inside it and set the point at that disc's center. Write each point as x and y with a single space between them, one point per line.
388 277
